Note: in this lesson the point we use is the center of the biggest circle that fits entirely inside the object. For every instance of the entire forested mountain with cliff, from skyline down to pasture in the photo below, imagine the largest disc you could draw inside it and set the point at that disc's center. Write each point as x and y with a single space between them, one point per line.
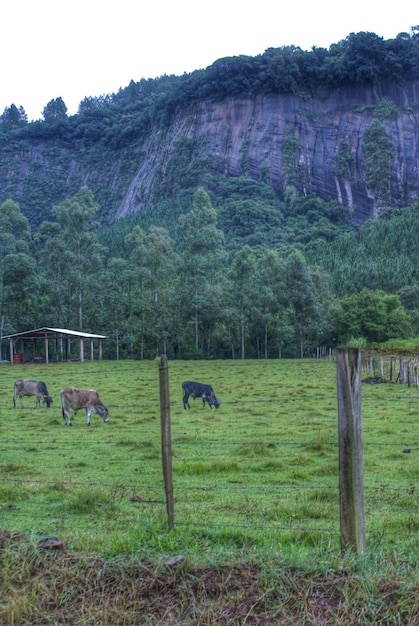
183 215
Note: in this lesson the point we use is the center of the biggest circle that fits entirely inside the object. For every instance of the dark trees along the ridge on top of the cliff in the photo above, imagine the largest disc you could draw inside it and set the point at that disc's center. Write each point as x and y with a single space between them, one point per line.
361 58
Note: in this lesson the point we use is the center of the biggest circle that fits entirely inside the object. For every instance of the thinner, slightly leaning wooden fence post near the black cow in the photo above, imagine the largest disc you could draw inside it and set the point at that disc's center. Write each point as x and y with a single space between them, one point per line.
166 439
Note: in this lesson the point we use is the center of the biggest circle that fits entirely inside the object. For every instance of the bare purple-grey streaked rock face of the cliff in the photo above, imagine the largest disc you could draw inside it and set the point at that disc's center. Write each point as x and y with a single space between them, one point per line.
313 145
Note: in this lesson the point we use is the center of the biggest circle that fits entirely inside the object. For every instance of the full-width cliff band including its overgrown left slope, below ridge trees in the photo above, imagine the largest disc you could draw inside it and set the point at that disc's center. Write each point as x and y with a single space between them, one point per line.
316 146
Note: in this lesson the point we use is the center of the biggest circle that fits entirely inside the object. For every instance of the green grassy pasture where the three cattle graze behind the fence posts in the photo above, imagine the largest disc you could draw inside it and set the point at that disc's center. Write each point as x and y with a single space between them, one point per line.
258 476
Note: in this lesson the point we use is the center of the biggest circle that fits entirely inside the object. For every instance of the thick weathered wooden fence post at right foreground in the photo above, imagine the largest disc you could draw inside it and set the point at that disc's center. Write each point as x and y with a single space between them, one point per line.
351 472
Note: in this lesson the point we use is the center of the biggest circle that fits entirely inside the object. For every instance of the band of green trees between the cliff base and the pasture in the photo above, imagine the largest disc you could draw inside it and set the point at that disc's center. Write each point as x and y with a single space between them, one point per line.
195 297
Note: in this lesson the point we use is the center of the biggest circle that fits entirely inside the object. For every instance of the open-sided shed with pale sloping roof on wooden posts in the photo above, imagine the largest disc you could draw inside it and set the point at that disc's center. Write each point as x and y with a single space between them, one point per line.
55 343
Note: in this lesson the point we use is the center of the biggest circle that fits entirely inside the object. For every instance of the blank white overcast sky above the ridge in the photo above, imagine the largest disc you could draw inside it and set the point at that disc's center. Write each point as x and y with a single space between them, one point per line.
72 49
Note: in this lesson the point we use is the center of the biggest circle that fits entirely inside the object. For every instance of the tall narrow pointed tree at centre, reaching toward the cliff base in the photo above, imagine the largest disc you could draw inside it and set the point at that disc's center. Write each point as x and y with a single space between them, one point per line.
204 258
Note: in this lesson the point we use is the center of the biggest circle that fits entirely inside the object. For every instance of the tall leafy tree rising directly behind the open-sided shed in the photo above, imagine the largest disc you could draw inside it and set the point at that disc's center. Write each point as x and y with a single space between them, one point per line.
73 259
